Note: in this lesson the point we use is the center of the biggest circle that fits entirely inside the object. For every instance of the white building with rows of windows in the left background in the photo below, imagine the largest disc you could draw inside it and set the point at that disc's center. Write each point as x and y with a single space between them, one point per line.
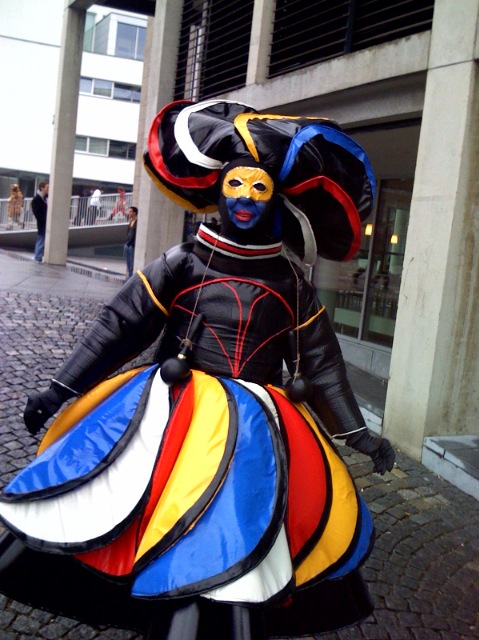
108 104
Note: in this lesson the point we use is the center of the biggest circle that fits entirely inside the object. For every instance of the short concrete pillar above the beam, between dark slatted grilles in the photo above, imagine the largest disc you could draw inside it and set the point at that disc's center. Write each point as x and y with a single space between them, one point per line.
260 43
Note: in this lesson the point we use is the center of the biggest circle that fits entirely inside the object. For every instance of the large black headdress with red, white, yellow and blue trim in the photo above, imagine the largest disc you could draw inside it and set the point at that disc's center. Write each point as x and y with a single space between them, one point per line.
324 178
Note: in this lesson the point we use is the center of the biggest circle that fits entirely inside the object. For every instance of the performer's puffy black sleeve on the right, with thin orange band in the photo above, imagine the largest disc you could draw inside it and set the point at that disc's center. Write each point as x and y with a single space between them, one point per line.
322 362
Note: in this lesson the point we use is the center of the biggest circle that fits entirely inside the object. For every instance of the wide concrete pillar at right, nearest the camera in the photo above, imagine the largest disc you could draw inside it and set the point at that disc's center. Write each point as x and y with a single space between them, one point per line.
433 388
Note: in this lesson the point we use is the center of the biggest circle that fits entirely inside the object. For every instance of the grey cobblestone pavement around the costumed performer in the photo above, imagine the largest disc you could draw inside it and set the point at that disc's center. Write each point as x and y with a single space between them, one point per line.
423 573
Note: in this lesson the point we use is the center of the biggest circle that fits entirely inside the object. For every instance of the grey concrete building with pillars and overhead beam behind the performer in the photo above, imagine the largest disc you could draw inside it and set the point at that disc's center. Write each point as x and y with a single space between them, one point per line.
404 308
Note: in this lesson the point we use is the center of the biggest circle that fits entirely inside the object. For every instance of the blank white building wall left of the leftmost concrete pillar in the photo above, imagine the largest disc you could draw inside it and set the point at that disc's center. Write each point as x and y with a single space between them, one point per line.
28 33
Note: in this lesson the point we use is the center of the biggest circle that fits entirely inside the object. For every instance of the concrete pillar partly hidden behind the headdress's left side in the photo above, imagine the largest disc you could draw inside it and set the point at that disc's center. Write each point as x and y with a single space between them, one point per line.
160 222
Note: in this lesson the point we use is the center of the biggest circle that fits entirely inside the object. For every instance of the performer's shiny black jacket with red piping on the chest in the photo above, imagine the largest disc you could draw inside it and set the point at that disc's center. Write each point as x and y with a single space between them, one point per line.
248 306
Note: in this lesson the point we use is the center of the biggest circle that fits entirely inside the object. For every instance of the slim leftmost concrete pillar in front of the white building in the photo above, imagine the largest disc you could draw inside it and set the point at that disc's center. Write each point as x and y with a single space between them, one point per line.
59 197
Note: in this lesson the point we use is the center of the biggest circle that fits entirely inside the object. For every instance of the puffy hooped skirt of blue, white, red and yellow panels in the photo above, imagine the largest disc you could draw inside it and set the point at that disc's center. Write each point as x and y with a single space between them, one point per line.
144 496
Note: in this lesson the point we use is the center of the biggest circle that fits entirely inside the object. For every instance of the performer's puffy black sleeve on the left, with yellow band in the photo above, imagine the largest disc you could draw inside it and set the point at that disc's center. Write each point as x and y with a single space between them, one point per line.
125 327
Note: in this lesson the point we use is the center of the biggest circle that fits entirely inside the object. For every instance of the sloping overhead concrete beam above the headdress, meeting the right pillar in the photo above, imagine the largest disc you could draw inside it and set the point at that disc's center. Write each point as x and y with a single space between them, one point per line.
366 74
